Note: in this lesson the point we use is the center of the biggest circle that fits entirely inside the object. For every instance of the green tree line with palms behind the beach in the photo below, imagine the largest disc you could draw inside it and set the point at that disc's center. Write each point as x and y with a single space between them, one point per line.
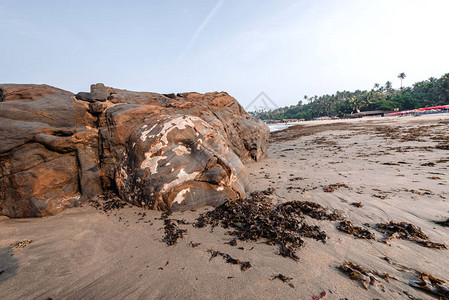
430 92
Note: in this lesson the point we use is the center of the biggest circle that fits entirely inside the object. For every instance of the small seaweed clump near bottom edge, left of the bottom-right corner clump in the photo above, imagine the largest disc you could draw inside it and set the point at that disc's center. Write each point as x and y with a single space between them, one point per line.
366 277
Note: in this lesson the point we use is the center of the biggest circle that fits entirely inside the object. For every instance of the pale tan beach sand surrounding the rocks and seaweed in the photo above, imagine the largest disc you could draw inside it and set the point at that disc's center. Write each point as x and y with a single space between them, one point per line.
85 253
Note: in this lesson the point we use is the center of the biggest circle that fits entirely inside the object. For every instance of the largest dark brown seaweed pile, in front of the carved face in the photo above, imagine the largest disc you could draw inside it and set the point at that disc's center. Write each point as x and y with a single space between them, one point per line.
257 218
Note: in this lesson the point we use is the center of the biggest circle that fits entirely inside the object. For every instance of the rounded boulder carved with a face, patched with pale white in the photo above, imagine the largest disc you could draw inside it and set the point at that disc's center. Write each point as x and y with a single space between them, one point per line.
173 160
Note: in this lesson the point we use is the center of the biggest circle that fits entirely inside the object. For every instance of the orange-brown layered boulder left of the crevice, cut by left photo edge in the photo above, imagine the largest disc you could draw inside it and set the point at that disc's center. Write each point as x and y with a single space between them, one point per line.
47 136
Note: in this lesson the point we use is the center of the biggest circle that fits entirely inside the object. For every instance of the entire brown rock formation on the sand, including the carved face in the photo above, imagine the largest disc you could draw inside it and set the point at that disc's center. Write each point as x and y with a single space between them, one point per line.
157 151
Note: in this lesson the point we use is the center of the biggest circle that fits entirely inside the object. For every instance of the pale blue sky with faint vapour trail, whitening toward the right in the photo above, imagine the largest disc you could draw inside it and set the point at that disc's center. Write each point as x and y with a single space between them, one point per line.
285 49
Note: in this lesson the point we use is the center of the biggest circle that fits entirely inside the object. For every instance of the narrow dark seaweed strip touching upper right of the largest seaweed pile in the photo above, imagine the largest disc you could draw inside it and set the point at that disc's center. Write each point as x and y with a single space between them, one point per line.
312 209
